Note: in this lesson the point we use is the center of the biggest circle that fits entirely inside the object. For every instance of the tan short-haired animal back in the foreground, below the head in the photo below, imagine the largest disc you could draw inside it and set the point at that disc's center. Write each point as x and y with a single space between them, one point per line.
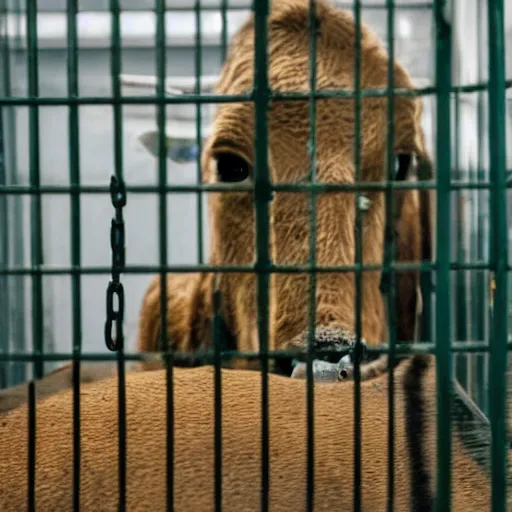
414 466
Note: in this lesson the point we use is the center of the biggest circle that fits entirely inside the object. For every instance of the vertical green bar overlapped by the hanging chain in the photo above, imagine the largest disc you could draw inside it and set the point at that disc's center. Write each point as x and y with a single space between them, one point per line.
118 164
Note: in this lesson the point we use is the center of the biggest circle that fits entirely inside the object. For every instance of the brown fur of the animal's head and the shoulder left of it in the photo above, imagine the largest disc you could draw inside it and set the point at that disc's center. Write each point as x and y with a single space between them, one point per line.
232 214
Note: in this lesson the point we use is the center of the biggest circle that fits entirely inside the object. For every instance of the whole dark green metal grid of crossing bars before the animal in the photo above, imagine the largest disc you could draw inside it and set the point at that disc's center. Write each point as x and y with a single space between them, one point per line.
498 263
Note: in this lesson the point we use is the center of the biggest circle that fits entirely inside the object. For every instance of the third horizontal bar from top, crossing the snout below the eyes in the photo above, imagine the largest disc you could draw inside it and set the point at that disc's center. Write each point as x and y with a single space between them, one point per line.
273 269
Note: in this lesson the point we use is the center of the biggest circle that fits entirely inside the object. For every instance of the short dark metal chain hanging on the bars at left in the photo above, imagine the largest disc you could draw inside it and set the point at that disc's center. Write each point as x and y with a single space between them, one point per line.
115 287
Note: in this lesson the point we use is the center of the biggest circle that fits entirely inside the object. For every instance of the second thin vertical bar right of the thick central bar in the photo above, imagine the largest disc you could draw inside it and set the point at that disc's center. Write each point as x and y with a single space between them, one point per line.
358 259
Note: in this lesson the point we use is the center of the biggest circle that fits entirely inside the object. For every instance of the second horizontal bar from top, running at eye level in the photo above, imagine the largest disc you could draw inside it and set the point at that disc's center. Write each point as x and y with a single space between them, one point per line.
318 188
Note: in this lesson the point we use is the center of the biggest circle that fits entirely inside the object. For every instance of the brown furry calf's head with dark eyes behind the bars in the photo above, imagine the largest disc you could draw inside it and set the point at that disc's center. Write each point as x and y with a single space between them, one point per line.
229 157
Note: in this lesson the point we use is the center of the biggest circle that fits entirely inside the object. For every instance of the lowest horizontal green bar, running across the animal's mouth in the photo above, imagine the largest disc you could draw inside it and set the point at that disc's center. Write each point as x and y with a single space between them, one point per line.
400 349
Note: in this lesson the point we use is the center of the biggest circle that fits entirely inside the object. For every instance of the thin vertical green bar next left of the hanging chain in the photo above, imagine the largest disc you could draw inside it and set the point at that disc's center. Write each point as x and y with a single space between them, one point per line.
74 178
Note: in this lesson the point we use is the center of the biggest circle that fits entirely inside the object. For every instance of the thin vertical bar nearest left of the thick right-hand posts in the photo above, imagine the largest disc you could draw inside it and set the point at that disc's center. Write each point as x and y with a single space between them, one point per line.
389 251
